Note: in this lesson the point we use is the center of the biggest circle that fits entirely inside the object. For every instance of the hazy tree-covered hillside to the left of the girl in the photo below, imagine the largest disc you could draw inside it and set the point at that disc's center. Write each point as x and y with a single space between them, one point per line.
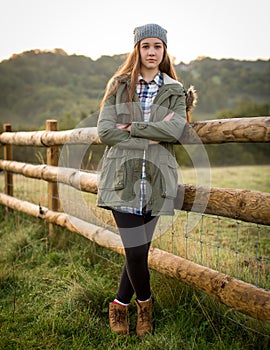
36 86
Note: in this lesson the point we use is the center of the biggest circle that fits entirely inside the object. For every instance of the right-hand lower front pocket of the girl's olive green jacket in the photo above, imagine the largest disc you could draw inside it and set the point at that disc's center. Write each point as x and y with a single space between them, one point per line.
169 176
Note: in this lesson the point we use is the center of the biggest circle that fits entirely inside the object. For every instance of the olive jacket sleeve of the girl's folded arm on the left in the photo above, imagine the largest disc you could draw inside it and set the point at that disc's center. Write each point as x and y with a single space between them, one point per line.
112 136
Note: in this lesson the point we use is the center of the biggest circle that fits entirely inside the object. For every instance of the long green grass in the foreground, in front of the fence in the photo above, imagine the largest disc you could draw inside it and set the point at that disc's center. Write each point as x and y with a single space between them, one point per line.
54 294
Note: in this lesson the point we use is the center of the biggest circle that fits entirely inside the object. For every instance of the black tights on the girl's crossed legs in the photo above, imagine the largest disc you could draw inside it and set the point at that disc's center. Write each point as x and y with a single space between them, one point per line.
136 232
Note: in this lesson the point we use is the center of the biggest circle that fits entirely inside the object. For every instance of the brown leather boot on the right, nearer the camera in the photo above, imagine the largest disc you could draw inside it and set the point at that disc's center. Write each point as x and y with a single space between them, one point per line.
145 317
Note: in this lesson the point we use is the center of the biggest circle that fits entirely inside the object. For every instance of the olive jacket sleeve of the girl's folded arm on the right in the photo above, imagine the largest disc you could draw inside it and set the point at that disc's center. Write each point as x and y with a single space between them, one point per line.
164 131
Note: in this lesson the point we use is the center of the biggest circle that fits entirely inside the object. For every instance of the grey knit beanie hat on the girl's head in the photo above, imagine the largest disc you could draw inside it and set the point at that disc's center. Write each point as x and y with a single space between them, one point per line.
150 31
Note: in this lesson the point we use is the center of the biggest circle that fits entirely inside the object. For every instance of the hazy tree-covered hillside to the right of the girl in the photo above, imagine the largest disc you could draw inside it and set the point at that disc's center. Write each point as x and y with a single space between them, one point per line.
221 83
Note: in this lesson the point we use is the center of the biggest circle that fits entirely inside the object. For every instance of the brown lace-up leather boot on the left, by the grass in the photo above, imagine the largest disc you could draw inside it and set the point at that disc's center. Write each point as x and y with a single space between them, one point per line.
118 318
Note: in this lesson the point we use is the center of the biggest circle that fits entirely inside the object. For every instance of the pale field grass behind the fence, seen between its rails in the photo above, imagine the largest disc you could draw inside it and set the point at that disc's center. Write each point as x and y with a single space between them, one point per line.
239 249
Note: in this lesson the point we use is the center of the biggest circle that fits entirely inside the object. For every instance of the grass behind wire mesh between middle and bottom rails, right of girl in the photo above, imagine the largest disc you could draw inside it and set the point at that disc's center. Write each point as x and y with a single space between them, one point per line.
232 247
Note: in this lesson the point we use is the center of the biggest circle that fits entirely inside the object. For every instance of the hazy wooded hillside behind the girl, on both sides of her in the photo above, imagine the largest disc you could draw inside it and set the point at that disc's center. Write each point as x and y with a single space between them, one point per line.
38 85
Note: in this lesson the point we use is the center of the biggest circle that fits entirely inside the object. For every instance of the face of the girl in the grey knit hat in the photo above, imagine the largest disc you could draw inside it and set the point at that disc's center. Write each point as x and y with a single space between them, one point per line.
151 52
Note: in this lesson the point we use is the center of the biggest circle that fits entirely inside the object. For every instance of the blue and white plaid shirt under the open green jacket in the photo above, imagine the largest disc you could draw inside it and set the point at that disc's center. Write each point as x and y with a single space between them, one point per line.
146 93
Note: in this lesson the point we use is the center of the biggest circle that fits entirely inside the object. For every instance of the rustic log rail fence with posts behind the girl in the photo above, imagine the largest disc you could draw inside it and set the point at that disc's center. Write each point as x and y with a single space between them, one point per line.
250 206
